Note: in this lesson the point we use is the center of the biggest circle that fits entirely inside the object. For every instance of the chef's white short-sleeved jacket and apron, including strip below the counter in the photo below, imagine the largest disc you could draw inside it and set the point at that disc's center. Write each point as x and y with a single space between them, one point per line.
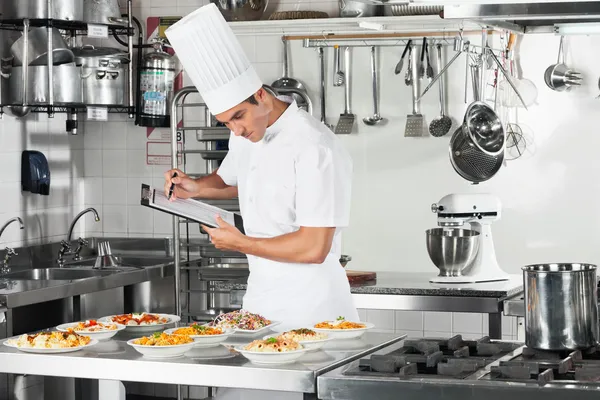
297 175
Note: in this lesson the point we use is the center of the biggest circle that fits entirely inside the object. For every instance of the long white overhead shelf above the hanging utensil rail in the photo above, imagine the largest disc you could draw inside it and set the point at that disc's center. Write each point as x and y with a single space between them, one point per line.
420 23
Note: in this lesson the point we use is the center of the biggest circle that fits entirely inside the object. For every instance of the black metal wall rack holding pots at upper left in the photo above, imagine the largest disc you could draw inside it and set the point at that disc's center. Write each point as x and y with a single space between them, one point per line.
74 29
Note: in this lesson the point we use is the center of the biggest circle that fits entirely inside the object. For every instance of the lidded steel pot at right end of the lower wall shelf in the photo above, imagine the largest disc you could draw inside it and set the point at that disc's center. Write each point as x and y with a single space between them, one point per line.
103 74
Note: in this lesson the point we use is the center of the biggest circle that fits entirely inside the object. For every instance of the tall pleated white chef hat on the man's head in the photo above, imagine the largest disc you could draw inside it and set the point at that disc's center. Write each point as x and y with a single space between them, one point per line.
213 58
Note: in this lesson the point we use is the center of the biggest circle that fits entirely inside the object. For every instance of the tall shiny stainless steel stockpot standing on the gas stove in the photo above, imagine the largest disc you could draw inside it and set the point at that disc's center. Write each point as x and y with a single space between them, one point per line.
561 306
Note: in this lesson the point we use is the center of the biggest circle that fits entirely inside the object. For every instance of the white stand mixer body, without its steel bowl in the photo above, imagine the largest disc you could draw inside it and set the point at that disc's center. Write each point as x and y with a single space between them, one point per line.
480 211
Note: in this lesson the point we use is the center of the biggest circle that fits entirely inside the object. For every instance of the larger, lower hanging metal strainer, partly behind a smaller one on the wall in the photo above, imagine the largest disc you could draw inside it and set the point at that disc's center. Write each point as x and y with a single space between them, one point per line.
470 162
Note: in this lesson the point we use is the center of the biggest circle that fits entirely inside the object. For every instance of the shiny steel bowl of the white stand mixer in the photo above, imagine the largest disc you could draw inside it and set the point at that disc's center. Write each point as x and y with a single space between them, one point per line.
452 250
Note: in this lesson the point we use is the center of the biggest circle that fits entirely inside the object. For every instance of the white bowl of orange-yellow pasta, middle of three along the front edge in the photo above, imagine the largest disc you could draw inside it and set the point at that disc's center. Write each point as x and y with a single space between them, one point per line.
162 345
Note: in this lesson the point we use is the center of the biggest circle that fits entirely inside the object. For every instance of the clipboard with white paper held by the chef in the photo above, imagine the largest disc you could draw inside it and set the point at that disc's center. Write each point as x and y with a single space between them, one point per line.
191 209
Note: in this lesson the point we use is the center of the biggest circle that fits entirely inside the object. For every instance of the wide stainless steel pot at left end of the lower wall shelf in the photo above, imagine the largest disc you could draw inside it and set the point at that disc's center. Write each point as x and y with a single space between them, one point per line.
66 82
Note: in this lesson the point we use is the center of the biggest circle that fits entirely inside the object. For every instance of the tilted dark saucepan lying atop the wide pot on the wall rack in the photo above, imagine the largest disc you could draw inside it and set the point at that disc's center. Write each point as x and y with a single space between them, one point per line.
37 49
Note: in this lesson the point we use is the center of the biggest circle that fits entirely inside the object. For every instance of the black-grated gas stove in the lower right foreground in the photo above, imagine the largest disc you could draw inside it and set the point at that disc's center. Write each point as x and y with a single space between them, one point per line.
451 368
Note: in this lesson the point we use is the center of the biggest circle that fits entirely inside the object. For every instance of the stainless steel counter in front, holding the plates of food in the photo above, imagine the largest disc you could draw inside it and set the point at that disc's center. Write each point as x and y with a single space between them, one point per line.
214 367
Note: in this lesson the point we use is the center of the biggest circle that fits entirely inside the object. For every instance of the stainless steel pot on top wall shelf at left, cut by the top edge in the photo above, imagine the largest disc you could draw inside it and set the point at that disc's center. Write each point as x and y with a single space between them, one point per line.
69 10
